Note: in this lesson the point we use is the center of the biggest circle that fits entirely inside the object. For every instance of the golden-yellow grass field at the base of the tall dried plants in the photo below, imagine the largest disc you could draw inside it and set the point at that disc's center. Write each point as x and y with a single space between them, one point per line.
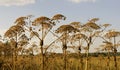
56 62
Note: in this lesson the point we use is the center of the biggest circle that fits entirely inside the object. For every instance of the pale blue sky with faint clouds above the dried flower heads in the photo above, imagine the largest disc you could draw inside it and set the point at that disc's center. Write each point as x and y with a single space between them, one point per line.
75 10
